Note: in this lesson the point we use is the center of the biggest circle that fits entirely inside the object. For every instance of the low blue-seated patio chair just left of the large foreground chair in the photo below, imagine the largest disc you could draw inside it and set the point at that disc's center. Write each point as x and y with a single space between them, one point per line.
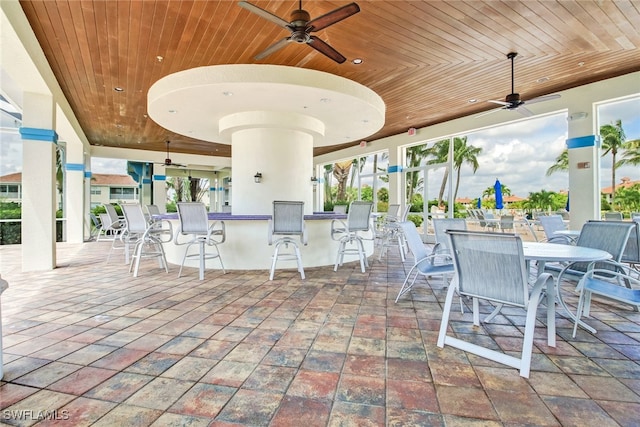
425 264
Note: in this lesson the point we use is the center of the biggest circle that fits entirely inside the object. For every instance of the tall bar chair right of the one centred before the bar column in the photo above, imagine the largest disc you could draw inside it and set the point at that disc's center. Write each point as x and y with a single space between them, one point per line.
349 233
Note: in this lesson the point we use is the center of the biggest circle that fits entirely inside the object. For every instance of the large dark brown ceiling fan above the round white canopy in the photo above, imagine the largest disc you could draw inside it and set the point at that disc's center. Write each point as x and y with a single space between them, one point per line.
301 27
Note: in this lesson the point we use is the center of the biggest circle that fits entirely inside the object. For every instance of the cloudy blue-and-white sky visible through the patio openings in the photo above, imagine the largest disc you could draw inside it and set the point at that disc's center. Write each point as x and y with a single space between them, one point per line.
518 154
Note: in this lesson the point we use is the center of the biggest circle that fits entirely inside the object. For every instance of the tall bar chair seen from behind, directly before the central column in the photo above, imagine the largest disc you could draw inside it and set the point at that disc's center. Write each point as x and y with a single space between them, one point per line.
287 222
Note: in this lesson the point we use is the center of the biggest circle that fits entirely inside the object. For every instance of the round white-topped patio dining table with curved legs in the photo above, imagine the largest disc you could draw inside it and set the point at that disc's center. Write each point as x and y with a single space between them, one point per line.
552 252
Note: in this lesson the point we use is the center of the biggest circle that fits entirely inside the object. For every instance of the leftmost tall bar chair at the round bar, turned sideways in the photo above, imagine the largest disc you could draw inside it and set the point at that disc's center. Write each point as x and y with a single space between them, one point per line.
146 237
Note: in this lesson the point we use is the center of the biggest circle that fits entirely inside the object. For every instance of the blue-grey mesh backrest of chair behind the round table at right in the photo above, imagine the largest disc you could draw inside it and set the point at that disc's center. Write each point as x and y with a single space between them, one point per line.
610 236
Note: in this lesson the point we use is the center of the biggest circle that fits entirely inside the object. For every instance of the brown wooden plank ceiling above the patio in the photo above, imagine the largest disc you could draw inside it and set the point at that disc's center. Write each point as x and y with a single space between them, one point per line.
426 59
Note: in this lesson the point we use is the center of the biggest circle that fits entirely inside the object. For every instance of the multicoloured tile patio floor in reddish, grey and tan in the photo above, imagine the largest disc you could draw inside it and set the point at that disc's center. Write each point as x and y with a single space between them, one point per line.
87 344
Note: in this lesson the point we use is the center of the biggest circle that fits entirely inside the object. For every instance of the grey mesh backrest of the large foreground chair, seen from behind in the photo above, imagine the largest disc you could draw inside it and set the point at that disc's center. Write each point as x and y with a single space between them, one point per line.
490 266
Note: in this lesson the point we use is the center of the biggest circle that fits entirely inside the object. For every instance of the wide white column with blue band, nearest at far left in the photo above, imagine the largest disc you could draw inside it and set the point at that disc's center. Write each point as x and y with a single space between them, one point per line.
38 183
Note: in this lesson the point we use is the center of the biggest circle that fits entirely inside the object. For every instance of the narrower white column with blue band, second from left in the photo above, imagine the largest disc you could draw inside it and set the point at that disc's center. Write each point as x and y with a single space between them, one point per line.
74 192
